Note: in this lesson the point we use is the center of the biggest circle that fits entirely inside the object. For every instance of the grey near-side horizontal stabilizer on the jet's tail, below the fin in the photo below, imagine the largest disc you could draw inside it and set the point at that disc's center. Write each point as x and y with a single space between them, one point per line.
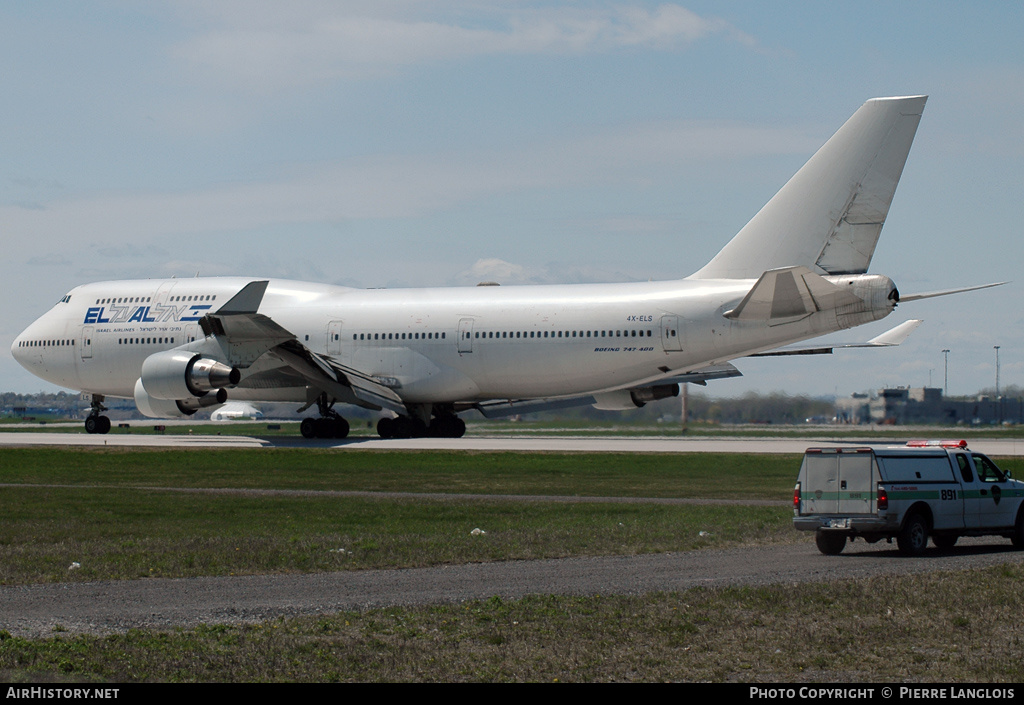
790 294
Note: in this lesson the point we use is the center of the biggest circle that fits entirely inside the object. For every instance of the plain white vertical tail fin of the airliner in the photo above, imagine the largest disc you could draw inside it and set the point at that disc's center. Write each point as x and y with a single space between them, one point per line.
829 217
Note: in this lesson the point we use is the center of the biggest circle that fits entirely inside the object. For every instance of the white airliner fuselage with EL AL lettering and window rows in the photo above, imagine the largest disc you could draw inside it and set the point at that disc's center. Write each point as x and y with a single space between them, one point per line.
433 345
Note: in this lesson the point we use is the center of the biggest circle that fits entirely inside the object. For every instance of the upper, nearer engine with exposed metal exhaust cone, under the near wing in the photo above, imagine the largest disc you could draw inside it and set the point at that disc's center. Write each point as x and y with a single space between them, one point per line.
181 375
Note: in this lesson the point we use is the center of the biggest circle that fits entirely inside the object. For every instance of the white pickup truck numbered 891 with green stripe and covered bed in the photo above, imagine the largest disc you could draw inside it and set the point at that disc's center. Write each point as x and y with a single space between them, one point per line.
936 489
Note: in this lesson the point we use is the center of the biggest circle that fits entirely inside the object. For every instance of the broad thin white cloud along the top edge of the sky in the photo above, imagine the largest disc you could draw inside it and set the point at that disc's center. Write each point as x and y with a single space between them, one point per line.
258 48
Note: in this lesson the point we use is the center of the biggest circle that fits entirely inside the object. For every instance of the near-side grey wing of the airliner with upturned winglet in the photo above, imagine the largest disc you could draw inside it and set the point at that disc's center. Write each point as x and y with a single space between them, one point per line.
245 337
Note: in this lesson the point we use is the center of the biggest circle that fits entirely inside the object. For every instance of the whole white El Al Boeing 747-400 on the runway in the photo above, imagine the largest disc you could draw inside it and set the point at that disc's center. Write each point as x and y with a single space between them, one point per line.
797 271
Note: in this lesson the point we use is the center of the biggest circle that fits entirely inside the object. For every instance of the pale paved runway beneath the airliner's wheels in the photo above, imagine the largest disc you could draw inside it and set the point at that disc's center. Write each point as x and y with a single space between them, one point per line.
565 444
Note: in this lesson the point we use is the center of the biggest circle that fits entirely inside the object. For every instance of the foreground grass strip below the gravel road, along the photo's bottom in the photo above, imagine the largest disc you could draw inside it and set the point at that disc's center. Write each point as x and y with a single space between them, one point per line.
934 628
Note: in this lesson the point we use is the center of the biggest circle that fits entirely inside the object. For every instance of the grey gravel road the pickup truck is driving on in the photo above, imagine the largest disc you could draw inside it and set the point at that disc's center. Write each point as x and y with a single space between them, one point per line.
116 606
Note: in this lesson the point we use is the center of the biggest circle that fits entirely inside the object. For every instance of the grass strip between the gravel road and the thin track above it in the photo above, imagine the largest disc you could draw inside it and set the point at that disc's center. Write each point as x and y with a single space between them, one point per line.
124 534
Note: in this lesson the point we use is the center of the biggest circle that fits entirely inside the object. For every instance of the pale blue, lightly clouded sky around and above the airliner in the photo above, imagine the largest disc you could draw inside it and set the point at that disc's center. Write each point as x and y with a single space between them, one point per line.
442 144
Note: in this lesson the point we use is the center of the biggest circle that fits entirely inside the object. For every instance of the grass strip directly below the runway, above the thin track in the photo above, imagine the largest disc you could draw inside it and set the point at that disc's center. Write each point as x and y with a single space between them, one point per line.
595 475
